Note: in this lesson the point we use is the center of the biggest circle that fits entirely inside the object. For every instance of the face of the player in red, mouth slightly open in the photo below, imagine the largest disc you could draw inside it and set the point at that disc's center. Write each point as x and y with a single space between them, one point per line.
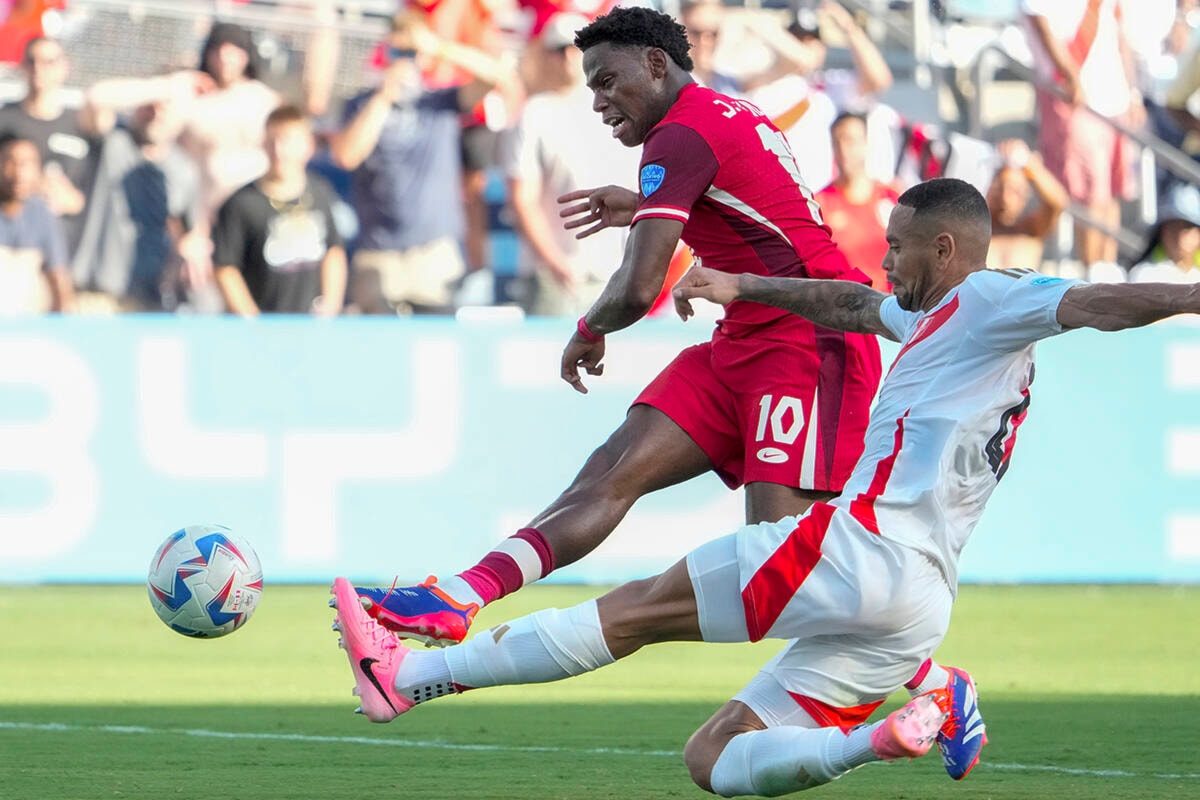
628 89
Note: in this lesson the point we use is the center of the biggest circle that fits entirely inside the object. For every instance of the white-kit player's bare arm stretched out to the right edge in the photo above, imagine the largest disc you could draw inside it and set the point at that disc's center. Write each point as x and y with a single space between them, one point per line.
1118 306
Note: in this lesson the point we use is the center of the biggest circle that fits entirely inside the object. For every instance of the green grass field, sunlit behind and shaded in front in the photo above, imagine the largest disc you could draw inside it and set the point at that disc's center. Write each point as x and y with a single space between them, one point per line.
1089 693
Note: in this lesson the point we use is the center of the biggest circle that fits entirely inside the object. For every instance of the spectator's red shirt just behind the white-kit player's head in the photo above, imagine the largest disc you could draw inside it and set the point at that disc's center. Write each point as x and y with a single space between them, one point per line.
861 230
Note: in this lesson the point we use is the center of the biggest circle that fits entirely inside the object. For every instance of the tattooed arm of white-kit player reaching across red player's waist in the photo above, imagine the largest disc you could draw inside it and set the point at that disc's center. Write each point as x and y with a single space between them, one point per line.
841 305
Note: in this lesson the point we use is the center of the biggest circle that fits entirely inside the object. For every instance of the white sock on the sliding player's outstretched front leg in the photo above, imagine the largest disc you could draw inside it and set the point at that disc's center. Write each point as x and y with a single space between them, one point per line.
547 646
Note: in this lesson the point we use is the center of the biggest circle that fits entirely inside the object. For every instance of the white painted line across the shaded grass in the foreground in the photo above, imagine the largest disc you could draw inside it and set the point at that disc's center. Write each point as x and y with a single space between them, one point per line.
59 727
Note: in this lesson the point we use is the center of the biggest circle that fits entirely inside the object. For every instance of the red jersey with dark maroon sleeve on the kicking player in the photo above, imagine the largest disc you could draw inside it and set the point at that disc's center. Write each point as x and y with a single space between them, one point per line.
719 166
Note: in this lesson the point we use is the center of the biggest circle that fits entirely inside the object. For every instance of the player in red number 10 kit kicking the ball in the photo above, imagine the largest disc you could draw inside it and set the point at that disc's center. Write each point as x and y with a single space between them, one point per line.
772 401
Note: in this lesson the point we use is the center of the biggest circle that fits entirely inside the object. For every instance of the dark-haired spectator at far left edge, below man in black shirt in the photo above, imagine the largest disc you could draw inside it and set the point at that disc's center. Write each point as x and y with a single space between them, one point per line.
34 274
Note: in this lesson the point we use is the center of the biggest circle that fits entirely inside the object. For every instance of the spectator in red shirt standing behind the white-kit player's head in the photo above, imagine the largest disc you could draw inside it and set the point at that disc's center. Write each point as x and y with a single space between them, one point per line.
856 207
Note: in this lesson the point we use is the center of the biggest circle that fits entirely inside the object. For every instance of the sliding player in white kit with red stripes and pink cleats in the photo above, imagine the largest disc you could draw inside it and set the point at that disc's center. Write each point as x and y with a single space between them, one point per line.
862 586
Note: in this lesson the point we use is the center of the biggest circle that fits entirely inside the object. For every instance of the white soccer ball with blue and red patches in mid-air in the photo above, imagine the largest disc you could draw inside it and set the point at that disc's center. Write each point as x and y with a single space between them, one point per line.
205 581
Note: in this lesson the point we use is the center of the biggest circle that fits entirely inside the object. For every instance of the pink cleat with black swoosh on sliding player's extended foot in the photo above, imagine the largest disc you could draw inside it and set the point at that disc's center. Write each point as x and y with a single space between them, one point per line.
375 657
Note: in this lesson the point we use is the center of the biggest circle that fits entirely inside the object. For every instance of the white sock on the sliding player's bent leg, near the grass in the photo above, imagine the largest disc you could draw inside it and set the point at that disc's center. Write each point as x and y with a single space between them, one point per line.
789 759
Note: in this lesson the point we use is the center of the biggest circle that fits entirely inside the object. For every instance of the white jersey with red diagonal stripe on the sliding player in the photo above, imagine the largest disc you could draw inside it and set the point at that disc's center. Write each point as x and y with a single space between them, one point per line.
945 424
